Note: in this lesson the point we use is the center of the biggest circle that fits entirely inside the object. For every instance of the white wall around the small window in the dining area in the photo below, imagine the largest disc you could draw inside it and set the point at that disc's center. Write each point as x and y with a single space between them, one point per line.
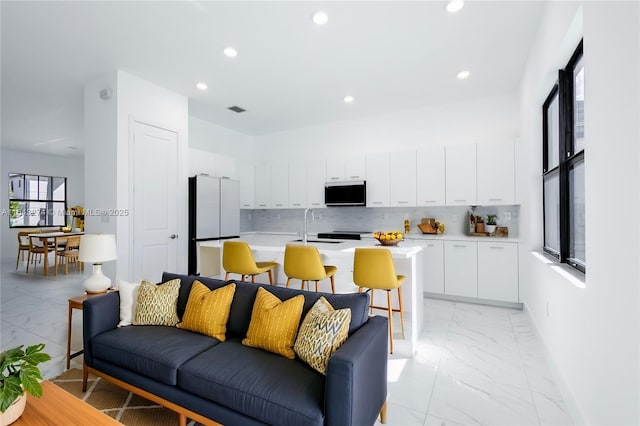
38 164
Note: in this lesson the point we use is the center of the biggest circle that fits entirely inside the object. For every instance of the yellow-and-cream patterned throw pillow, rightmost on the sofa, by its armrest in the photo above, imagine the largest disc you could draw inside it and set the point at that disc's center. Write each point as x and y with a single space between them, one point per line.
322 332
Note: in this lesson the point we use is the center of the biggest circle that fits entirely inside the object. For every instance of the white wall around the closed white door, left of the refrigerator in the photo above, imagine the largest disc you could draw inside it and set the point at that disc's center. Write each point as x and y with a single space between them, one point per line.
108 166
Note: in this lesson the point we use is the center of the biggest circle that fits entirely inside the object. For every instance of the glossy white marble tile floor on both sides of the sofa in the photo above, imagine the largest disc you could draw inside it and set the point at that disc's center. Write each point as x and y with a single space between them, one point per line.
475 364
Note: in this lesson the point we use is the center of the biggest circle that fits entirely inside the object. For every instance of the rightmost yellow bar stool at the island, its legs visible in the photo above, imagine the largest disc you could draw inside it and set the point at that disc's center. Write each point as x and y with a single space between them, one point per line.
373 268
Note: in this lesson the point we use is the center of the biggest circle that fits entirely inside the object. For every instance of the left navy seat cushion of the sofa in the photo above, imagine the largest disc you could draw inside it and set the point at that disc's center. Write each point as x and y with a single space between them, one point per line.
153 351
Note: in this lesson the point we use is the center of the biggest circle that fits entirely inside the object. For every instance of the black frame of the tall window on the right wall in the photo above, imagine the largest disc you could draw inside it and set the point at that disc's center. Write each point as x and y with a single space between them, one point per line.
568 157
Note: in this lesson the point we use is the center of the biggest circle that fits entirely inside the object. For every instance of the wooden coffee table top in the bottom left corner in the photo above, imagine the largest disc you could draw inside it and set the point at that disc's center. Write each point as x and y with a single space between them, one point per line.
59 407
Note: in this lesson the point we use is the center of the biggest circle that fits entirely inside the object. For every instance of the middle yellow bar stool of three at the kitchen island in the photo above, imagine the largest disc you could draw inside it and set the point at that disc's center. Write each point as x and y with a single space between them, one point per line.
304 263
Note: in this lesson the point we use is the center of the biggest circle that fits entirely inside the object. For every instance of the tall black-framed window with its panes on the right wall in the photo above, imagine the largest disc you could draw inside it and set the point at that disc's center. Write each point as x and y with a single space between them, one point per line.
564 167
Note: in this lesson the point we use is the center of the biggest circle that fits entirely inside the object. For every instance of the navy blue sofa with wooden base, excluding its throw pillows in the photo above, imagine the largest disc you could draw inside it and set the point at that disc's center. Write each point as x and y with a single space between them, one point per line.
204 379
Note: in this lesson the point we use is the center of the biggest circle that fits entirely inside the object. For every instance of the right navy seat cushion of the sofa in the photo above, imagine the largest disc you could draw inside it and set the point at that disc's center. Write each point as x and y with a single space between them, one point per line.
268 387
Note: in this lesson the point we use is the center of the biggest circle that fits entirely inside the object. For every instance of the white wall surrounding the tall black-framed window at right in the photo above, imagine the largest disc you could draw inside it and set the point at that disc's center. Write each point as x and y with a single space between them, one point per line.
592 333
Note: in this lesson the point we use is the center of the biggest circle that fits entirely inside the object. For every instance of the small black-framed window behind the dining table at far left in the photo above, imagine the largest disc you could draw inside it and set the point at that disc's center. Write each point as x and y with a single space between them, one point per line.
37 201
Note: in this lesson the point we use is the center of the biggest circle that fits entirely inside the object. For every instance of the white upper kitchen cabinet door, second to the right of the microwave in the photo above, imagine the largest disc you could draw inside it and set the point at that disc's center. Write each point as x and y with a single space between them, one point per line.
402 182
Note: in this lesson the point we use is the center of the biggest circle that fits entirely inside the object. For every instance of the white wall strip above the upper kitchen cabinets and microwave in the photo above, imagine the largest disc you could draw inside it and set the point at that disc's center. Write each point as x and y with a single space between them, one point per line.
481 120
